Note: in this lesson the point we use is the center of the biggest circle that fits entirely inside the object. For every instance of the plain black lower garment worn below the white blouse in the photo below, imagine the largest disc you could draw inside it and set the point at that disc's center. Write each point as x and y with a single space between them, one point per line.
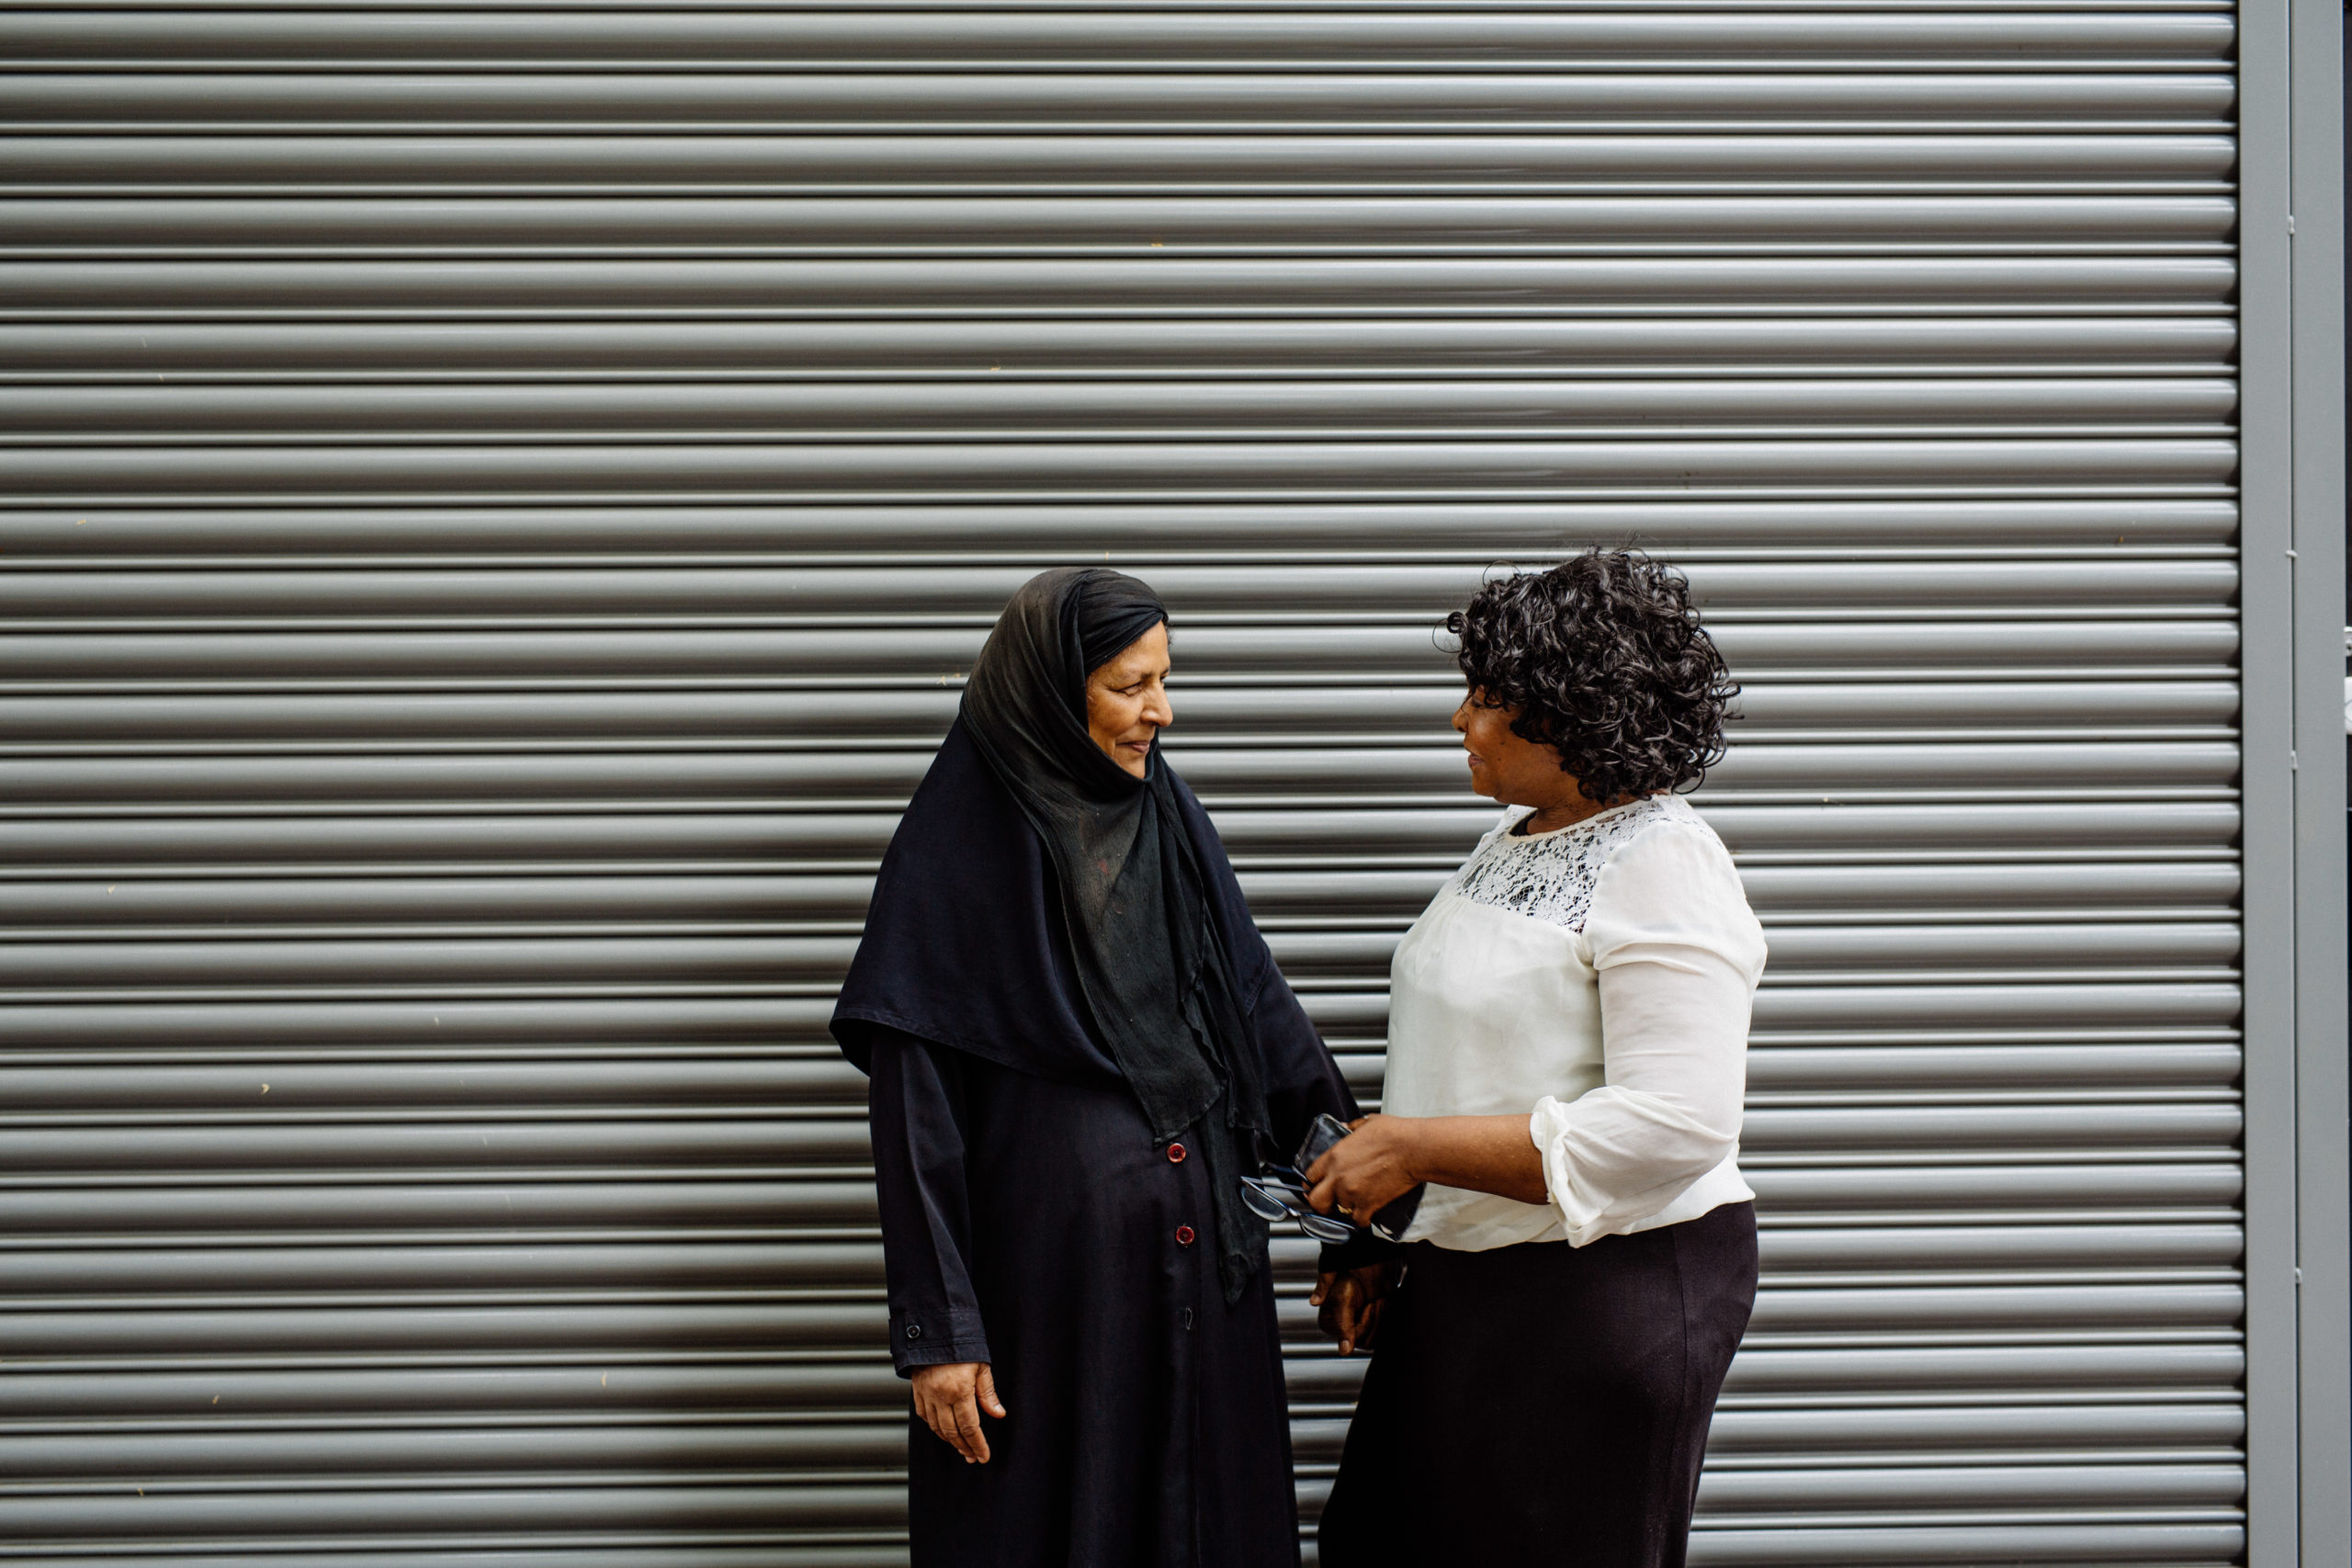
1544 1405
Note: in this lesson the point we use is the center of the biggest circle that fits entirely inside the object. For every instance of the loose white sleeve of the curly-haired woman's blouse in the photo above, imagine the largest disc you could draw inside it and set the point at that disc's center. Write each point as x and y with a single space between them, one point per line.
1678 958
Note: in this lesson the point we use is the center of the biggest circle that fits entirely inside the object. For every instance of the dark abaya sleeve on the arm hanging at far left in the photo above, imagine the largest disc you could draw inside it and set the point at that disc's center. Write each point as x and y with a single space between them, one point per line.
916 1108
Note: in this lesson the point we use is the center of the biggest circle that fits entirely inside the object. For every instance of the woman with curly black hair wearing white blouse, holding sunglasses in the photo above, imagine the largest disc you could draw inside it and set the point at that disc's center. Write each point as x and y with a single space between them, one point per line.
1565 1073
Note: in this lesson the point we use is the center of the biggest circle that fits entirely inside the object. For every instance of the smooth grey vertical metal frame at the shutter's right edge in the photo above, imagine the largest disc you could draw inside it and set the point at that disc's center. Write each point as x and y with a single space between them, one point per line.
2299 1209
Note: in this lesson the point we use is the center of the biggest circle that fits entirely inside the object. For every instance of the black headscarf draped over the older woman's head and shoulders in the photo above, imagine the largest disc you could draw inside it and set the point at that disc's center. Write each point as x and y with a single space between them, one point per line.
1121 965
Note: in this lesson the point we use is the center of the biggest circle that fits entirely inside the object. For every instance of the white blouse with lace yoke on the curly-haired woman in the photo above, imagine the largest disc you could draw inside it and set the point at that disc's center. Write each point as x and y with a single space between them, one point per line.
1596 979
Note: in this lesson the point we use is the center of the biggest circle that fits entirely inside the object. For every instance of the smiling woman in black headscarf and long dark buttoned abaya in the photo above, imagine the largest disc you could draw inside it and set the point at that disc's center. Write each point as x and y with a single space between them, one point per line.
1078 1045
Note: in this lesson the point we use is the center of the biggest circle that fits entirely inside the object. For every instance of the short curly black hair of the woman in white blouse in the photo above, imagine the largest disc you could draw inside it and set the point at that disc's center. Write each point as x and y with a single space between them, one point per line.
1605 662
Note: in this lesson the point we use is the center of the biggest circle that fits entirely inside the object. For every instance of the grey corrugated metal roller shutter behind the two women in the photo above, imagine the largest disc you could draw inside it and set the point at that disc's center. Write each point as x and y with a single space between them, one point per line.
497 502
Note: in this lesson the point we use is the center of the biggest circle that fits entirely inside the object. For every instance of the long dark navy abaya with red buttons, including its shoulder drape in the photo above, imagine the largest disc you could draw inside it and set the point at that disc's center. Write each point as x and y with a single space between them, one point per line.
1036 1221
